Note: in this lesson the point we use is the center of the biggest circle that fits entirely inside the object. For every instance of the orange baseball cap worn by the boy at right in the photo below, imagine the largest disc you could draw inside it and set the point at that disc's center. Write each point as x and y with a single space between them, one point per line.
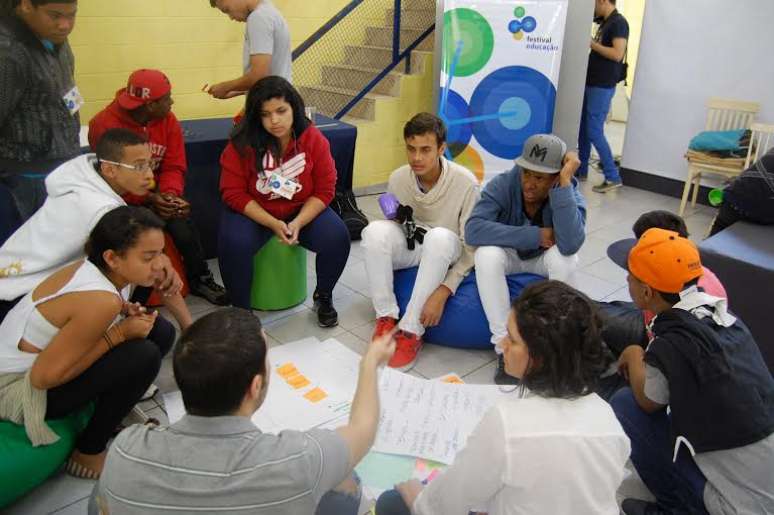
665 261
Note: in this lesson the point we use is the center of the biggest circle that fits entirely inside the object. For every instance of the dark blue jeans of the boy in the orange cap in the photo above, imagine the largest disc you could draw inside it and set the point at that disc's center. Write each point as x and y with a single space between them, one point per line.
678 486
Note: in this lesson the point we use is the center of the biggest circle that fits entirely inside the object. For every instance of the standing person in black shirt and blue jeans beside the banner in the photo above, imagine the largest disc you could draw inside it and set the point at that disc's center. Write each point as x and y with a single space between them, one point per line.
606 69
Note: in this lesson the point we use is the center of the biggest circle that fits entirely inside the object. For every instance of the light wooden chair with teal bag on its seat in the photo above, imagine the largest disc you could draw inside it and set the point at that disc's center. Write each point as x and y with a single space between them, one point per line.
722 115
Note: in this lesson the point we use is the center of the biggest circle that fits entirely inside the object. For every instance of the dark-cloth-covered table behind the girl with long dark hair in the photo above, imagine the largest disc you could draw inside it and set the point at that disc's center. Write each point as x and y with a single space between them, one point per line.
204 142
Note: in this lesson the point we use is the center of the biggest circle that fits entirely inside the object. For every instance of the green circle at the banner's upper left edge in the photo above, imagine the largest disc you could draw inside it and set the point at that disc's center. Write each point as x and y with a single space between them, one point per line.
466 32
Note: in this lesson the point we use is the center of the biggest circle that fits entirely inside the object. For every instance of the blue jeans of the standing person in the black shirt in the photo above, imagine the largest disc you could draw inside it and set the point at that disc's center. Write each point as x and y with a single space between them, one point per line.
596 105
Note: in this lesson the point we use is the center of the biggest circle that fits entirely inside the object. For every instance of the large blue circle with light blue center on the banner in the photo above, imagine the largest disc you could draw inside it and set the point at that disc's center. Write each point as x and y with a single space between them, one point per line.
515 102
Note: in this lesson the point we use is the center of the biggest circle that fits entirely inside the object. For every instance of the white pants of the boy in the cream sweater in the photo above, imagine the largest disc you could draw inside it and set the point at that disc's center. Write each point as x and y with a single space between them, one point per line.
386 250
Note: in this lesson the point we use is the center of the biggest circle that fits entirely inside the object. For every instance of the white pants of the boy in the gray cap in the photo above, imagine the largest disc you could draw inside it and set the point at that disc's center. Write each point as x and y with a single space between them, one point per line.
494 263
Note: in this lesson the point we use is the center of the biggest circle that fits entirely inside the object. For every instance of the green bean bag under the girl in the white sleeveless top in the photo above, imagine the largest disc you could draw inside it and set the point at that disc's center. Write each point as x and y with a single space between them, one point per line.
22 466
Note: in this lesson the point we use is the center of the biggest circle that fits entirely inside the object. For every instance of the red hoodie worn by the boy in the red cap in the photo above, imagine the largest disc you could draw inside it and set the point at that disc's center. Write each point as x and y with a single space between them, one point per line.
166 141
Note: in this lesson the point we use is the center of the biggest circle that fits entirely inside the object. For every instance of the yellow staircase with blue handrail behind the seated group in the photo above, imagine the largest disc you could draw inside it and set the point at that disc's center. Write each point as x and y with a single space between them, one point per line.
332 73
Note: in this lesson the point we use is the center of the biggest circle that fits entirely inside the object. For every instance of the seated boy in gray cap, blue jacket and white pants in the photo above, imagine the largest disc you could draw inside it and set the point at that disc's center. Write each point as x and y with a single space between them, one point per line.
530 219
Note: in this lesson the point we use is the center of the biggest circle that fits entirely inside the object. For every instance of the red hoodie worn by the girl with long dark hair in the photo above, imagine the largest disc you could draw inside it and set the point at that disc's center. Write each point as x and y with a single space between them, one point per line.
240 183
